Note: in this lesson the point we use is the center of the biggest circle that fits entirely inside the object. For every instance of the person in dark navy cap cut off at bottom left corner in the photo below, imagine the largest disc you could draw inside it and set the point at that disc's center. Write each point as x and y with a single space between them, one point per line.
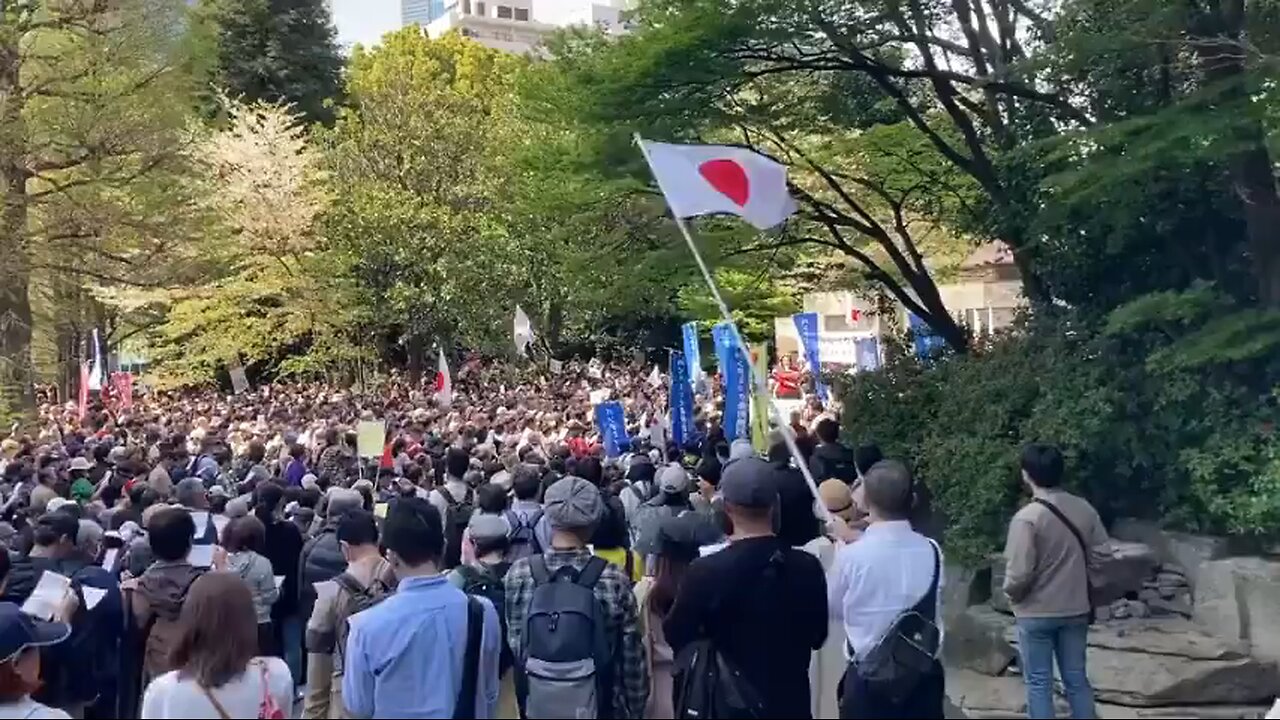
21 640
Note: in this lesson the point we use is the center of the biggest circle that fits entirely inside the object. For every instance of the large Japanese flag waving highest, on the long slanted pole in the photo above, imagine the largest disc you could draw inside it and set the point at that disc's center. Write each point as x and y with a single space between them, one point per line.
707 180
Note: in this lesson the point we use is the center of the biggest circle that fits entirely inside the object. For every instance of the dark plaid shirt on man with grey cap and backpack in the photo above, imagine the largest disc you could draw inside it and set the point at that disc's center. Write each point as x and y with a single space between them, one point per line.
623 625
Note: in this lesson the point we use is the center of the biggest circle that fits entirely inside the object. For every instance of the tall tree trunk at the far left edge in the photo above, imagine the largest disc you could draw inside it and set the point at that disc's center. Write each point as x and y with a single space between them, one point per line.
17 375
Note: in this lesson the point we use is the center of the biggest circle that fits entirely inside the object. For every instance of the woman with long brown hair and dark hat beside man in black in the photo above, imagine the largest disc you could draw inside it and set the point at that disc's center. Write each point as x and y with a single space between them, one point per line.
678 549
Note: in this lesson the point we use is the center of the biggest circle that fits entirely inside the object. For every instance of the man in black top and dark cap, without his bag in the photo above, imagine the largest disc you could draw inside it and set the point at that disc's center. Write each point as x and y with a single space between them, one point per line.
761 603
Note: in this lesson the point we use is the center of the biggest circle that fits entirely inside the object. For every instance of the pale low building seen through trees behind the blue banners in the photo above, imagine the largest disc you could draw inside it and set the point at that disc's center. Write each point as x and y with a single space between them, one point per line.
985 298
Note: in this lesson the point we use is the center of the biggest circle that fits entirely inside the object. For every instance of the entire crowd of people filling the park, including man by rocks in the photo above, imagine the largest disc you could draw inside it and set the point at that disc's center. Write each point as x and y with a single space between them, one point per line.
217 557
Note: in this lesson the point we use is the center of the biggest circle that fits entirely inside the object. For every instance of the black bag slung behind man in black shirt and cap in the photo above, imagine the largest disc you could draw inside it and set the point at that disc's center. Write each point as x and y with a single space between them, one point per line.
707 685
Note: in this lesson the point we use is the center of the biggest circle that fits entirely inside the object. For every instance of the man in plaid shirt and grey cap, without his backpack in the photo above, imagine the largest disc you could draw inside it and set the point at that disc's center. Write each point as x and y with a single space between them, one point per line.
573 507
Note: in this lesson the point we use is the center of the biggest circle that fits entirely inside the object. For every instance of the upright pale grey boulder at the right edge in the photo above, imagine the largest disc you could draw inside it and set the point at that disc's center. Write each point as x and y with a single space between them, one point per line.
1240 600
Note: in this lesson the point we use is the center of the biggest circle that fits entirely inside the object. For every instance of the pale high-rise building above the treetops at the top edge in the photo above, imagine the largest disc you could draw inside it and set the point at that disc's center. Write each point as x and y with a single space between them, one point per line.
513 26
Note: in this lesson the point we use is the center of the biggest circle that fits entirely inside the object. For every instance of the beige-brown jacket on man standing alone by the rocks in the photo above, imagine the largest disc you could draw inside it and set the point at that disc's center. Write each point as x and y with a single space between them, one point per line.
1045 571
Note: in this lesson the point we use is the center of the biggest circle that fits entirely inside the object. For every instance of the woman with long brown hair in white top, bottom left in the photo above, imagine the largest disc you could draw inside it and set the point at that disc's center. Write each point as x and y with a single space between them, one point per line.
220 673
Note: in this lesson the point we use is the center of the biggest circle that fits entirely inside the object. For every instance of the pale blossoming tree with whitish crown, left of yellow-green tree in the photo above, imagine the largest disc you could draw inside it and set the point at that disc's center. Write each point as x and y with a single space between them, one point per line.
266 294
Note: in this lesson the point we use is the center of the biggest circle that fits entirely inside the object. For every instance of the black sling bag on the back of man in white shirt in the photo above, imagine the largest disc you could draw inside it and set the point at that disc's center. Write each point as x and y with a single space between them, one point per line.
908 651
